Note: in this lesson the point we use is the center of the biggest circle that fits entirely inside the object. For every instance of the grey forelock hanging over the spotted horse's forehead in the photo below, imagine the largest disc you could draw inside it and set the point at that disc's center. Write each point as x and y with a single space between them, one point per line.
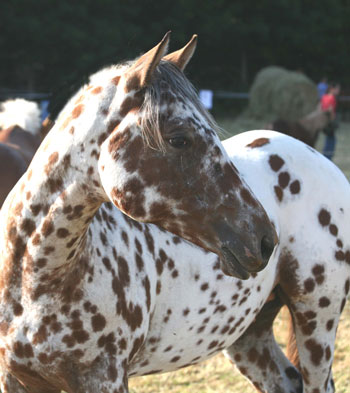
167 78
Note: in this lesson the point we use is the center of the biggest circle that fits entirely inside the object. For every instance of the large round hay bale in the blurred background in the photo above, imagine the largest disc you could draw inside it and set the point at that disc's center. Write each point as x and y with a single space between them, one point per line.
279 93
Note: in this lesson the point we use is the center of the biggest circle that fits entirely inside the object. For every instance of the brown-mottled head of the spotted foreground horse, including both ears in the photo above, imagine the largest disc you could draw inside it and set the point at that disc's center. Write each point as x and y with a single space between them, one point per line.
163 163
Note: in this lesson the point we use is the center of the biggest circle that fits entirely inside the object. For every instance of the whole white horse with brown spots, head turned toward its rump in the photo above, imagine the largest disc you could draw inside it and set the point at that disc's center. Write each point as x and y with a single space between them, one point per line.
91 297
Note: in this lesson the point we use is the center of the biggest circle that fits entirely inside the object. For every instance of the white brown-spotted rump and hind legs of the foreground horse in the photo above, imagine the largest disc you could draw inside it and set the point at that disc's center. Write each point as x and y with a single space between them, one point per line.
308 200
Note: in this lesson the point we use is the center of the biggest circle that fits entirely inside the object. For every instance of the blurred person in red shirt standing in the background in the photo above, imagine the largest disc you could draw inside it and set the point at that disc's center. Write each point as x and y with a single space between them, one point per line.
329 104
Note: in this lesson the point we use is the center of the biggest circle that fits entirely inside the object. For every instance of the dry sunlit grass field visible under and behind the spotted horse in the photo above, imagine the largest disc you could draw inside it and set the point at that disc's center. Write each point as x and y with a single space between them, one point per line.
217 374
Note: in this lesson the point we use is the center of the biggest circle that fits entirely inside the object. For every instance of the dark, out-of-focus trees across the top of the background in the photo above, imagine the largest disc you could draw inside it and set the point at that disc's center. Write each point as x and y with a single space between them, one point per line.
53 45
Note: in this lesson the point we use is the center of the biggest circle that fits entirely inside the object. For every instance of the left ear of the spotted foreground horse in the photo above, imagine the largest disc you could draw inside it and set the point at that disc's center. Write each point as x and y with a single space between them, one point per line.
140 74
